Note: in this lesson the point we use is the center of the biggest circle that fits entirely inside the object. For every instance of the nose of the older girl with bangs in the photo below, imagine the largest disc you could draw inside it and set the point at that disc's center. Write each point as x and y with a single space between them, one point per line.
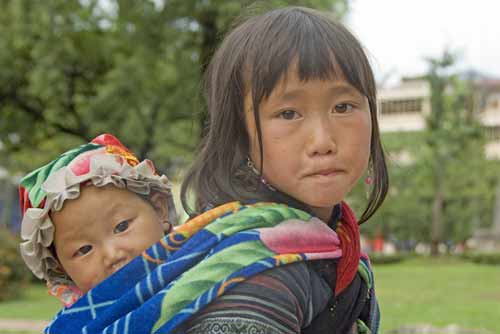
321 139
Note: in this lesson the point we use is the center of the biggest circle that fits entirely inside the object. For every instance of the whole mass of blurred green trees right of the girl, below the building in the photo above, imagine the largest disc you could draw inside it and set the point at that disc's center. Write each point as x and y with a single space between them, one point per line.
440 178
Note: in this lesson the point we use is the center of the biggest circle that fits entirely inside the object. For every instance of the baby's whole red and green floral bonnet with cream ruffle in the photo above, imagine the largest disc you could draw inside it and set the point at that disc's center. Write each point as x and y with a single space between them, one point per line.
105 160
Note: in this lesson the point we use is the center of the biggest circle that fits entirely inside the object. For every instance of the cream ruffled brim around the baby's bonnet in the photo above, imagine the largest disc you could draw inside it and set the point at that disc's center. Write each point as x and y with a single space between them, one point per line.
37 229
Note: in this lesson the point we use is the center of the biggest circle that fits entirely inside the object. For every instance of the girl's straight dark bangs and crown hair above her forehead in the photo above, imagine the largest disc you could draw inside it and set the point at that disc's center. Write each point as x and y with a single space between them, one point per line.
317 47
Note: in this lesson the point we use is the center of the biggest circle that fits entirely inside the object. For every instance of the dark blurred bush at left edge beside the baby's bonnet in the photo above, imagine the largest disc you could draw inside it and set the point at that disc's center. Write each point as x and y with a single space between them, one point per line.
13 273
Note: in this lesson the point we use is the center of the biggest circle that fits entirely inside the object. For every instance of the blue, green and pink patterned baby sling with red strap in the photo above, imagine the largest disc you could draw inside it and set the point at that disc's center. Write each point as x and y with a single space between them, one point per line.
200 261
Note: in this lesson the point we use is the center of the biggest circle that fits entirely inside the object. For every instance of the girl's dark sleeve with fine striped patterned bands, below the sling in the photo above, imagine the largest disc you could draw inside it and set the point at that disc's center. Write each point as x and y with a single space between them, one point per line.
282 300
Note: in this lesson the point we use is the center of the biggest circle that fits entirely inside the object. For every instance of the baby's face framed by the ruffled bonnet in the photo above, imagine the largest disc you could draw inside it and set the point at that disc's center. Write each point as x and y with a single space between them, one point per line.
102 230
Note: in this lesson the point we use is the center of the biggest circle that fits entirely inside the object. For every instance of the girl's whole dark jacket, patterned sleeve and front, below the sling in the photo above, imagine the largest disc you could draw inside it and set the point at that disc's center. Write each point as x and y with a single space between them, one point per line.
291 299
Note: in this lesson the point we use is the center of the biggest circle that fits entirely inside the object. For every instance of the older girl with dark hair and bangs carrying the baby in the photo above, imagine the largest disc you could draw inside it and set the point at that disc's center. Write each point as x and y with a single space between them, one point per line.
292 118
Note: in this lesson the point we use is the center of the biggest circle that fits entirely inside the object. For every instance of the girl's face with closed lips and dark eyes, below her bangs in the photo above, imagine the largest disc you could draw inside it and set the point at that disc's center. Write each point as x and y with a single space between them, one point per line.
316 139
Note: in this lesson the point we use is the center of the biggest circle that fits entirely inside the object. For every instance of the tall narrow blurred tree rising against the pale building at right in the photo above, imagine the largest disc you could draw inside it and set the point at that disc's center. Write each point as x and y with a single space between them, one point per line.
452 139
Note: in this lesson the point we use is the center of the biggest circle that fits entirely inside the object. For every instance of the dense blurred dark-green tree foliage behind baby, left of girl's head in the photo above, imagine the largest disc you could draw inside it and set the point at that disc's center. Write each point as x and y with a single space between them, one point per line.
73 69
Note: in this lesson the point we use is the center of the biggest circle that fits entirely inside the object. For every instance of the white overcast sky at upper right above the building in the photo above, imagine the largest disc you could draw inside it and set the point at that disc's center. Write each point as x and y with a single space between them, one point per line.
400 33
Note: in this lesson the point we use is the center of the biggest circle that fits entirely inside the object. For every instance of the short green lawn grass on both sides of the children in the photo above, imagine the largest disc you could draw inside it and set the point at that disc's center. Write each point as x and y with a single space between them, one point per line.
433 291
